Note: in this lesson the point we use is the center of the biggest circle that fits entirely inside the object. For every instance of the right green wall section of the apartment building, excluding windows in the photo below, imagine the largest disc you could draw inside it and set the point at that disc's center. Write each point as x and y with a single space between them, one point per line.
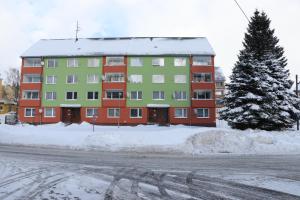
169 87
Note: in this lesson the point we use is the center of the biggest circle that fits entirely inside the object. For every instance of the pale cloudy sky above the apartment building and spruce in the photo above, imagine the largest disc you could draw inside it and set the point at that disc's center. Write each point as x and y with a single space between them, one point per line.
23 22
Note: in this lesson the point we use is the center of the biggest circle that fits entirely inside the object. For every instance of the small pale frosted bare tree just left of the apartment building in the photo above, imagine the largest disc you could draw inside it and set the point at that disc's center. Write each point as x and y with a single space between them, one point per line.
13 79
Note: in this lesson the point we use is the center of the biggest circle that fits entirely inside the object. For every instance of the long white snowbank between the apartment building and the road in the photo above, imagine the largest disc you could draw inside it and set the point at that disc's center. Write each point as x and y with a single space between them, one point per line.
152 138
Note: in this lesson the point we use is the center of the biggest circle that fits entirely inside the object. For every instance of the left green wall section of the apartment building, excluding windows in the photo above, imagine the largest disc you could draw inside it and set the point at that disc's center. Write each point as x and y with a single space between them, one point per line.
81 87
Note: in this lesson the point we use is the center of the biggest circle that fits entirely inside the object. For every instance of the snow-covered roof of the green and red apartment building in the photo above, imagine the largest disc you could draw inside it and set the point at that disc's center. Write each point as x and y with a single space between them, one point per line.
120 46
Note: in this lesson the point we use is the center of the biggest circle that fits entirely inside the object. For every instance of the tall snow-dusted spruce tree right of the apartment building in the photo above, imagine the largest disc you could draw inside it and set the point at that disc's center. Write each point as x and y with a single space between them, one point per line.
259 93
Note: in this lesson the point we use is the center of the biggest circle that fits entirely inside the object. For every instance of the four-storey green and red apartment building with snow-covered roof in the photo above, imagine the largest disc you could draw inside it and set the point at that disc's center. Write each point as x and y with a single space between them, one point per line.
124 81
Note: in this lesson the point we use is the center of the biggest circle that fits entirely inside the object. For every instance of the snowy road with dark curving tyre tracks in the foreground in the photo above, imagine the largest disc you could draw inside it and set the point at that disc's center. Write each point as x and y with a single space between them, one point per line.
49 173
